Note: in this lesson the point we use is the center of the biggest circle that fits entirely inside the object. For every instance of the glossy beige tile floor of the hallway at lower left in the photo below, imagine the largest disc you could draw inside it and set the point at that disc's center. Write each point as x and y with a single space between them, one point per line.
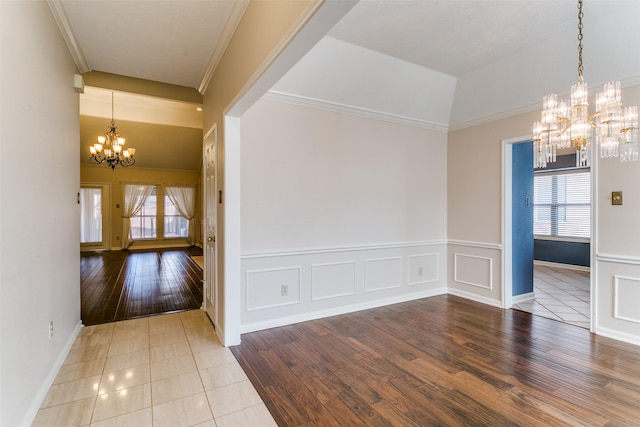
167 370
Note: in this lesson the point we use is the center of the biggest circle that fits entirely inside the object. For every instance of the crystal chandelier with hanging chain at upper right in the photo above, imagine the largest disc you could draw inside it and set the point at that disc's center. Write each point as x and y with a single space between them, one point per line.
567 123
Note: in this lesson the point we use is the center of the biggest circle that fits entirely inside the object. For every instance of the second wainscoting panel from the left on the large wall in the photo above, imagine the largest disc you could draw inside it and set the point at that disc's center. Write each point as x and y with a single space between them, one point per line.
333 280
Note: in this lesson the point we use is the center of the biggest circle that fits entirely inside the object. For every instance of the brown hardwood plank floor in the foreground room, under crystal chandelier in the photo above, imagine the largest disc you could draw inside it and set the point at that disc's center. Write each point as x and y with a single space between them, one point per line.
442 361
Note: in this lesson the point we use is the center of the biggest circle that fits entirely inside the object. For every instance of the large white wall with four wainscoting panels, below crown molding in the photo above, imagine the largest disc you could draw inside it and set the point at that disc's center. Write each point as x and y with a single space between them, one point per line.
347 212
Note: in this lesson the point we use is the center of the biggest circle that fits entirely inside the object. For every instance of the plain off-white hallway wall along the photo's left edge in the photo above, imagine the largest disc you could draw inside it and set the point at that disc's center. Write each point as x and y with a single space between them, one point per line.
39 178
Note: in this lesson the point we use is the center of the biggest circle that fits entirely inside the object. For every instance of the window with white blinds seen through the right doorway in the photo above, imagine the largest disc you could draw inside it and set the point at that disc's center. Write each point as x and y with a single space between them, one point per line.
562 204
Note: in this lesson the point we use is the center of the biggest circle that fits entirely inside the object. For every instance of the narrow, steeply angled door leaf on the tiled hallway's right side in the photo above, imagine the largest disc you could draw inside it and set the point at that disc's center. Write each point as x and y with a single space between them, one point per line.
210 244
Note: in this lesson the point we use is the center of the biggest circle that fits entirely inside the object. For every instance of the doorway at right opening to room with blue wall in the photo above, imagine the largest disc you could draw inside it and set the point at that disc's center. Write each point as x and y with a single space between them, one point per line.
560 287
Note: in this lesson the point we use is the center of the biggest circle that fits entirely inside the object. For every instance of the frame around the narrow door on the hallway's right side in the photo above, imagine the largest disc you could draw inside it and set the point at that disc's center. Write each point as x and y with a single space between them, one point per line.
211 133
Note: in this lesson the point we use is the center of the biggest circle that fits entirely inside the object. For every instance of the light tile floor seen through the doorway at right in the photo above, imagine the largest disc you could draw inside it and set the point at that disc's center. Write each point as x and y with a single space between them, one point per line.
561 294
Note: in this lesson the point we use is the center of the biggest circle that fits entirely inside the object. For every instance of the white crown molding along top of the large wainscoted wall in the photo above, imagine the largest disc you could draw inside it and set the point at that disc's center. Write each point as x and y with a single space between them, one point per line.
303 101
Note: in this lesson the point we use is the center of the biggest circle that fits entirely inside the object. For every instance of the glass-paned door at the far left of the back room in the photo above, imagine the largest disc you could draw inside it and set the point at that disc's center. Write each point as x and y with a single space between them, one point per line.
94 217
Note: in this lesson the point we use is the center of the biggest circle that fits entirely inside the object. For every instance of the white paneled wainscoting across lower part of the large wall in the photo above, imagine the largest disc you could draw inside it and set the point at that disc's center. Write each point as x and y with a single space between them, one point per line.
330 281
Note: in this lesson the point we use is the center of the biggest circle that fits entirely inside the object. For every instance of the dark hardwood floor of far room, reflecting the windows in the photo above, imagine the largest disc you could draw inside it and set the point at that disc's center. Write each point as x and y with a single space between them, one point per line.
119 285
